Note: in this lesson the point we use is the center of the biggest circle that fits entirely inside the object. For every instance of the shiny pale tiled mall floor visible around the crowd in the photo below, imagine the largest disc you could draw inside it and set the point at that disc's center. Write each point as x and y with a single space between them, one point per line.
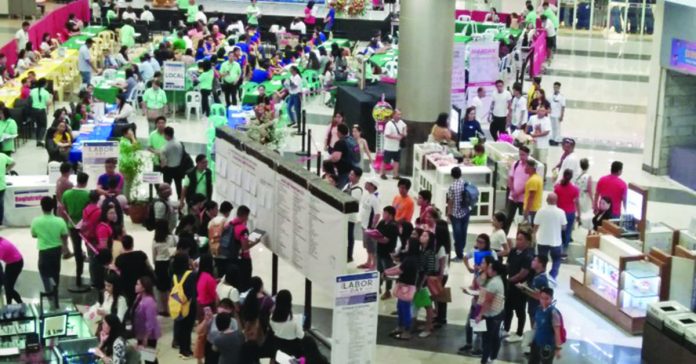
605 81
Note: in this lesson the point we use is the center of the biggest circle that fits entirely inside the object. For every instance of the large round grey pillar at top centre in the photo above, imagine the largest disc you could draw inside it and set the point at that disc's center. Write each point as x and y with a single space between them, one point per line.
426 33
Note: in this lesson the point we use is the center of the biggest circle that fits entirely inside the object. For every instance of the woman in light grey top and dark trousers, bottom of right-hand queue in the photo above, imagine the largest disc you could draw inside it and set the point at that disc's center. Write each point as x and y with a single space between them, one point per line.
492 299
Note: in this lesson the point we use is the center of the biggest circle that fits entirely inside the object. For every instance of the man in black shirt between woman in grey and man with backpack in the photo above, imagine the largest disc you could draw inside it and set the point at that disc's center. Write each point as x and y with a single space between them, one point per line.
519 265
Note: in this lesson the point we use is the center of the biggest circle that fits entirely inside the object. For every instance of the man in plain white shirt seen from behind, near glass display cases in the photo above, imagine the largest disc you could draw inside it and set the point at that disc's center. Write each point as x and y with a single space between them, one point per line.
549 222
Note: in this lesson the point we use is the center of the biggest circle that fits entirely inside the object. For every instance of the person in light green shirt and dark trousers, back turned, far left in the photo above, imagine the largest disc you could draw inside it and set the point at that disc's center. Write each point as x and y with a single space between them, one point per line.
51 234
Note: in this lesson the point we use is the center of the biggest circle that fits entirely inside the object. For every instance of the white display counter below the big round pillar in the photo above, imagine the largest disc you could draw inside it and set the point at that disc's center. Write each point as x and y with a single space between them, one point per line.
432 167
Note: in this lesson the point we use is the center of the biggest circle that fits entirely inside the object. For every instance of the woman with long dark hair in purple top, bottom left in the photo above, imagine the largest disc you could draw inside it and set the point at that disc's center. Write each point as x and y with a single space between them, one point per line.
145 325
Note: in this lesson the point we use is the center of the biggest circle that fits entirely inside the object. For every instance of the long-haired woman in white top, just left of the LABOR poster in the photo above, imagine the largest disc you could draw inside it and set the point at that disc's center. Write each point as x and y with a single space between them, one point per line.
287 331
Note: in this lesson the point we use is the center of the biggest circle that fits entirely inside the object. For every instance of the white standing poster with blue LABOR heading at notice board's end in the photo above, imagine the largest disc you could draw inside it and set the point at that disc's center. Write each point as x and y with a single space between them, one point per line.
354 333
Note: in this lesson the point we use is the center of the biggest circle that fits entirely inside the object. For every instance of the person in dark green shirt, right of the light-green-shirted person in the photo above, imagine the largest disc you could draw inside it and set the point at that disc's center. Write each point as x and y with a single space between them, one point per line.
75 201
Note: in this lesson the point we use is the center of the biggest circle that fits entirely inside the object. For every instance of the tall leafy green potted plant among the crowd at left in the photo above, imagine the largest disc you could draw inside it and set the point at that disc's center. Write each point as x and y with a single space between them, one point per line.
131 163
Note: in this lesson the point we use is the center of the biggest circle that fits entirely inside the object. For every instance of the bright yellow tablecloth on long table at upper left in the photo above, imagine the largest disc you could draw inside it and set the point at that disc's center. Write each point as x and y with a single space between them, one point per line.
48 68
